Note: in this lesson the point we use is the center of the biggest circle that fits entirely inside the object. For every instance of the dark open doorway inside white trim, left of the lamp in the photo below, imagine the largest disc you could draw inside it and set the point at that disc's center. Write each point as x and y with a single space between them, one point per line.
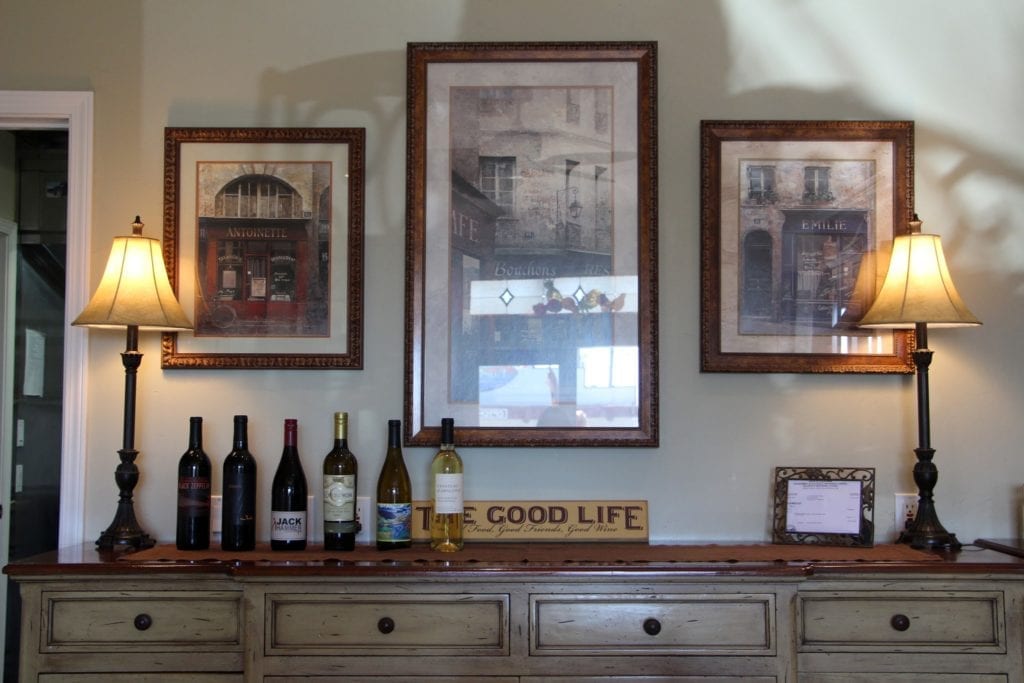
34 485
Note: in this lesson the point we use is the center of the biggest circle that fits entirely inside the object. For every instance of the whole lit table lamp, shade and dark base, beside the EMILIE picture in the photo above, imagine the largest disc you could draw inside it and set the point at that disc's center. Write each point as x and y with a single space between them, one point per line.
919 293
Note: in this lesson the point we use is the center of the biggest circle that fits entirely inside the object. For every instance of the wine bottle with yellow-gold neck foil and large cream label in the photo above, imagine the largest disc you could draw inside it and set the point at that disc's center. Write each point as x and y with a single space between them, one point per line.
340 469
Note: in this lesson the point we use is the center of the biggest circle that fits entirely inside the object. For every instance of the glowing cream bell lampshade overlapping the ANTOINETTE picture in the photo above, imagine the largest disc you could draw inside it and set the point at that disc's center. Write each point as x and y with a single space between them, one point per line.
135 290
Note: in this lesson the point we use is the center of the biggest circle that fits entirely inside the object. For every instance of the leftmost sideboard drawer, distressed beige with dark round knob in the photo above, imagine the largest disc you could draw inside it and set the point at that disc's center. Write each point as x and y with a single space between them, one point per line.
151 621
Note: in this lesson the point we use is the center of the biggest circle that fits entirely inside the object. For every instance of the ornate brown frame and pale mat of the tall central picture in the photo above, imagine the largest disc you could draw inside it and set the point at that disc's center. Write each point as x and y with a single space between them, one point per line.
431 177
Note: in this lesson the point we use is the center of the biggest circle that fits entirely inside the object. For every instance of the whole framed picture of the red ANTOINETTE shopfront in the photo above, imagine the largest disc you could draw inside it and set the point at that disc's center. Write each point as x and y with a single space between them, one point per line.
264 243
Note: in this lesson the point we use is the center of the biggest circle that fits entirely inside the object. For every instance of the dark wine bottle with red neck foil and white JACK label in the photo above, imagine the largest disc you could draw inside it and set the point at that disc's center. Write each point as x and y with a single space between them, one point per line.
288 496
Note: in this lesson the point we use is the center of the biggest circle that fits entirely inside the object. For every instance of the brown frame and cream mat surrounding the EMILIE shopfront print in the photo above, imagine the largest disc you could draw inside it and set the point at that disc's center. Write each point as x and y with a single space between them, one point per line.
724 199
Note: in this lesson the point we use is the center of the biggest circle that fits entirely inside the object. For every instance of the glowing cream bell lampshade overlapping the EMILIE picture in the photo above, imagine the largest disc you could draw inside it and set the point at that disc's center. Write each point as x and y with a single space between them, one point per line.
918 288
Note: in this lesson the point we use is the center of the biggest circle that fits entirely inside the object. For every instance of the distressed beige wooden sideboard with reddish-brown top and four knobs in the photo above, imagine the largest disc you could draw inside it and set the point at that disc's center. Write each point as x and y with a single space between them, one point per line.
89 617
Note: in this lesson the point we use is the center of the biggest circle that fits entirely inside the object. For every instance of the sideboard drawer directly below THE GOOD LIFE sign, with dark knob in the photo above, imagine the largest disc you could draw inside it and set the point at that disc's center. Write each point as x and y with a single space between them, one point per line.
606 625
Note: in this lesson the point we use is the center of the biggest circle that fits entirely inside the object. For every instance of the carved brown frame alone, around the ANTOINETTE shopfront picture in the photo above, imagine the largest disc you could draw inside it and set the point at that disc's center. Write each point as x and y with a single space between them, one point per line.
314 354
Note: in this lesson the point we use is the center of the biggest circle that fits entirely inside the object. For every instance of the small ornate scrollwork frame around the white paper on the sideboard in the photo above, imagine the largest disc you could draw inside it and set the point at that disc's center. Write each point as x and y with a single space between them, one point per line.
865 476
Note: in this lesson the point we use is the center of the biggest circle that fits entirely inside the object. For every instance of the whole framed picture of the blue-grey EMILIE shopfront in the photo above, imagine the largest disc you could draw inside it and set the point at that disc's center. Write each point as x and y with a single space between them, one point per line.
797 224
